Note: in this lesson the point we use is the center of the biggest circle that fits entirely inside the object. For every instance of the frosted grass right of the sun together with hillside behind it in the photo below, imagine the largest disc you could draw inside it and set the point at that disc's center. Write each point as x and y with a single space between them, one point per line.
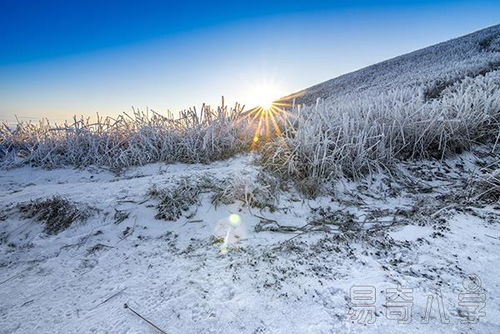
429 103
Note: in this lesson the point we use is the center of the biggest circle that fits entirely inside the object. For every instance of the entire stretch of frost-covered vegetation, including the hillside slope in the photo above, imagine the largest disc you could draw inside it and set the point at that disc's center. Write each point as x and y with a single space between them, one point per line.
429 103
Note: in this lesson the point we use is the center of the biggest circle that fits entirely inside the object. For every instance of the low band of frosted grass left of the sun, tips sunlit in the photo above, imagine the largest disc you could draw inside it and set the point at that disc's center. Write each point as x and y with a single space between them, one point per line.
141 138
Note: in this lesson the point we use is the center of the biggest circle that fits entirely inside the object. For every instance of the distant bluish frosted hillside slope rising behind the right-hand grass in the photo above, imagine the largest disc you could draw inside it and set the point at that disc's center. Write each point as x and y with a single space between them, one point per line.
432 68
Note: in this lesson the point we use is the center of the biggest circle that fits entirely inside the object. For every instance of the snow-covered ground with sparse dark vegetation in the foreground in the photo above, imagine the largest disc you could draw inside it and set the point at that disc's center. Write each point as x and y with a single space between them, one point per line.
306 266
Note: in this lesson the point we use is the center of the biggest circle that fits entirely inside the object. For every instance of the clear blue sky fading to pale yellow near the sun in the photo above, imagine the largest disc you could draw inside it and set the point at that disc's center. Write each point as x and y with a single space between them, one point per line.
65 57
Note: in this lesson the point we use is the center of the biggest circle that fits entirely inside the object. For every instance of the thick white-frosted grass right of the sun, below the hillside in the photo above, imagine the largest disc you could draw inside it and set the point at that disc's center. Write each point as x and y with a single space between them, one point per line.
361 132
